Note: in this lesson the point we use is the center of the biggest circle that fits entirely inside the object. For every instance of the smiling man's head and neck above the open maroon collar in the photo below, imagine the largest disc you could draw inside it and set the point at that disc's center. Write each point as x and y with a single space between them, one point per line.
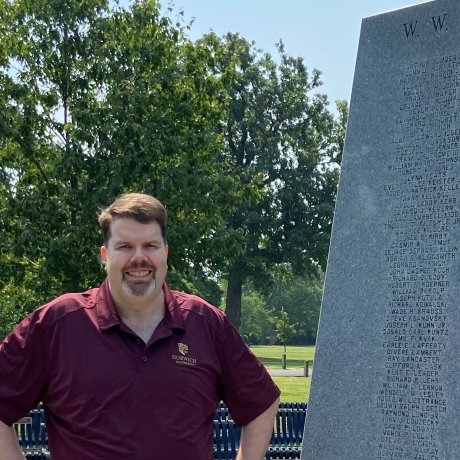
135 254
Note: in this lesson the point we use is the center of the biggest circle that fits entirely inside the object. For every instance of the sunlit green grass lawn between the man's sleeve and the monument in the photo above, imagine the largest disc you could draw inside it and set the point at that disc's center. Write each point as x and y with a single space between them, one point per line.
293 389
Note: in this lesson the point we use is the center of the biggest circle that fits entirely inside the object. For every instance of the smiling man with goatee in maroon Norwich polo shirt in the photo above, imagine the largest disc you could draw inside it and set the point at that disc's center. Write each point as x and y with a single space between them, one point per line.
133 370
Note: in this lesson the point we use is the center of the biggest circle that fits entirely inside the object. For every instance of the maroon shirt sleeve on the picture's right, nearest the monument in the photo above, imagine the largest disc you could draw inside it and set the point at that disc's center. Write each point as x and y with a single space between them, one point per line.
248 389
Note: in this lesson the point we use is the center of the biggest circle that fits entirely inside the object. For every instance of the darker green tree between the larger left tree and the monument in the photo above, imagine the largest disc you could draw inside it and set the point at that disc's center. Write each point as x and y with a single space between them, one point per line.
281 138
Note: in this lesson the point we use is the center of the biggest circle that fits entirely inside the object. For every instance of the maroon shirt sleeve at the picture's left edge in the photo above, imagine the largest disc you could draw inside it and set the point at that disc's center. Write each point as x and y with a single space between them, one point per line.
23 368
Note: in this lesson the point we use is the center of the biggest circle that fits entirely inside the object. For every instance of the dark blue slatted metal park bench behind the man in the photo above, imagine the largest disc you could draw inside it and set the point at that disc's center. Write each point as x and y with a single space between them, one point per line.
286 441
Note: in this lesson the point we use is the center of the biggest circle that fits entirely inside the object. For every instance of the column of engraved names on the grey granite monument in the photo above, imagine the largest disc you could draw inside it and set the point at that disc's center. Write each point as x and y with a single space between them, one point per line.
422 190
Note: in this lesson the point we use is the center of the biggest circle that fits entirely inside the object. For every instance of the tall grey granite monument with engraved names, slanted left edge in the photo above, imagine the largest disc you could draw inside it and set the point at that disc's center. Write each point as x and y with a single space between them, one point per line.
386 379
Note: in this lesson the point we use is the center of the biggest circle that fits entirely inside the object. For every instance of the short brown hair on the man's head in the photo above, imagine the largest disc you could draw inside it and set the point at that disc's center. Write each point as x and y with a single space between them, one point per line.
139 206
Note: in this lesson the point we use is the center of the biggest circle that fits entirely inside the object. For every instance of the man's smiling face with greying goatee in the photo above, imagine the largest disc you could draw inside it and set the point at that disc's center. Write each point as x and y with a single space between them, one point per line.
136 259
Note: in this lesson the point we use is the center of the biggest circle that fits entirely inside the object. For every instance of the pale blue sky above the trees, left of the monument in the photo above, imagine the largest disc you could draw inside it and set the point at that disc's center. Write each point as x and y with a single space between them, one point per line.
324 32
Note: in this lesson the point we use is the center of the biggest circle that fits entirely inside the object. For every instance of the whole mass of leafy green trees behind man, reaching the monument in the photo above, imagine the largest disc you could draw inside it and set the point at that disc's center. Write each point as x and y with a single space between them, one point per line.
97 100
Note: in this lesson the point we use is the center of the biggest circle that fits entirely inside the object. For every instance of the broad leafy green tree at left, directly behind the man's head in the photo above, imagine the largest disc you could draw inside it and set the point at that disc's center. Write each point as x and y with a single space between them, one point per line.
97 100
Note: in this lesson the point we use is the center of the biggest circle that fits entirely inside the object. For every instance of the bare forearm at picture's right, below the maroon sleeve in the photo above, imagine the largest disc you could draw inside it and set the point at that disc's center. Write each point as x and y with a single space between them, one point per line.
255 436
